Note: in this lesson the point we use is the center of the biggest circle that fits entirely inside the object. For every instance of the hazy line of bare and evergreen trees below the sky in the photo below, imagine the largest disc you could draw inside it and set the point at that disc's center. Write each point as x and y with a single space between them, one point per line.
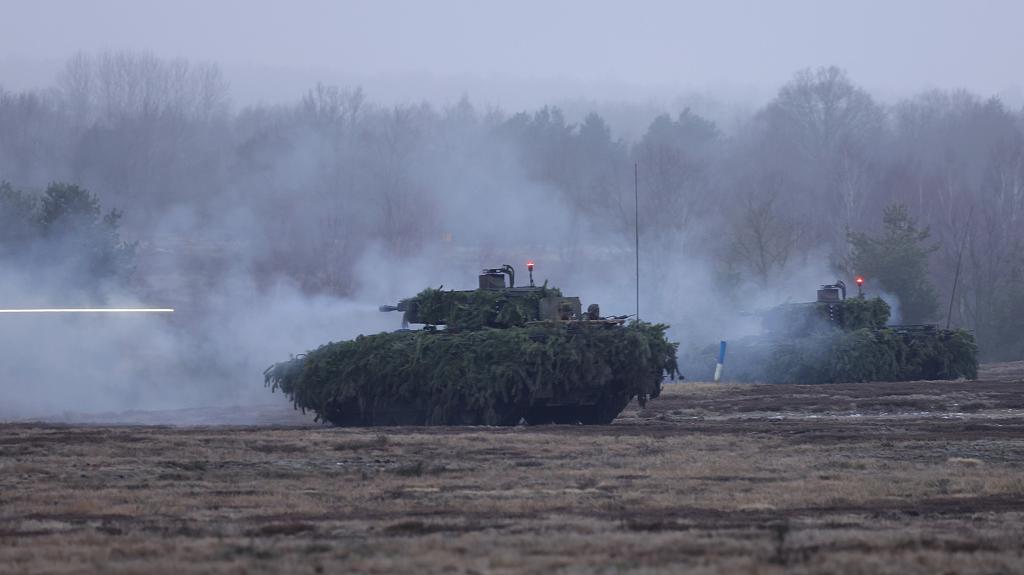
824 168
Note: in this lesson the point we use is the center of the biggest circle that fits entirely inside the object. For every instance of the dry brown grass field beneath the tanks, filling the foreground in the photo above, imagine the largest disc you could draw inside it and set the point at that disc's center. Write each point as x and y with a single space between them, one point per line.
873 478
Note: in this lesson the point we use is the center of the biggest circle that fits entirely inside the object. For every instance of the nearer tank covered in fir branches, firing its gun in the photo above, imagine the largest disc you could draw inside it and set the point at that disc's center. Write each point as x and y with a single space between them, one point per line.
497 356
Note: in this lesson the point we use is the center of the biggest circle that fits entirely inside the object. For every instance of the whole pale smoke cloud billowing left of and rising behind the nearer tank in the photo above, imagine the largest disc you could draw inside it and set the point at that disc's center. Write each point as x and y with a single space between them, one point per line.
234 320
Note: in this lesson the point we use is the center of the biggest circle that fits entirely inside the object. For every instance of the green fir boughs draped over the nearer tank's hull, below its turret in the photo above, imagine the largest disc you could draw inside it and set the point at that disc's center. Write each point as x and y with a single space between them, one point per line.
488 377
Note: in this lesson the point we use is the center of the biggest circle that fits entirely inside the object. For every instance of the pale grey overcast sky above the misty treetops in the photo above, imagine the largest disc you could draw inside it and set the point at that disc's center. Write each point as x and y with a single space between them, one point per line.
498 53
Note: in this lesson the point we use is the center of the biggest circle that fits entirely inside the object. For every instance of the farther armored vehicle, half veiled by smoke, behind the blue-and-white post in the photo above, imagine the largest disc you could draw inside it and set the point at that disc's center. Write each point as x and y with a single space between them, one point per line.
839 339
